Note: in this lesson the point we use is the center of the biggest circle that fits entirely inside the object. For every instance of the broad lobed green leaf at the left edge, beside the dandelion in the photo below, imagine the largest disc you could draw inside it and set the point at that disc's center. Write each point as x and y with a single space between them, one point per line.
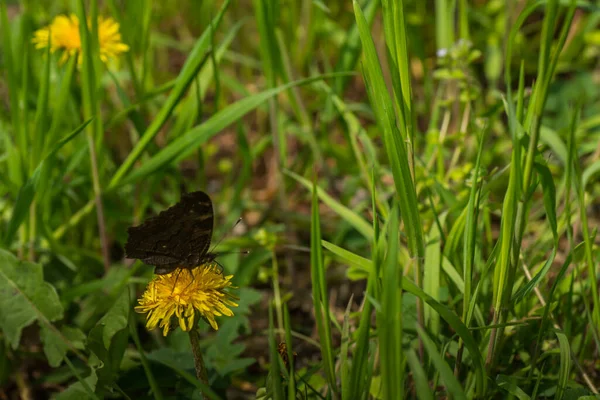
25 298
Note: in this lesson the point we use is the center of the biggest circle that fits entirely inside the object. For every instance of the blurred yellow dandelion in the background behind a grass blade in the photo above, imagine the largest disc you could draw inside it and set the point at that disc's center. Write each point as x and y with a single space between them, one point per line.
64 32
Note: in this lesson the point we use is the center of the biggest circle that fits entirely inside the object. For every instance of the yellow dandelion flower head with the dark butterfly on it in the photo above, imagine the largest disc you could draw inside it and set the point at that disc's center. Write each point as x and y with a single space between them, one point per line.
184 294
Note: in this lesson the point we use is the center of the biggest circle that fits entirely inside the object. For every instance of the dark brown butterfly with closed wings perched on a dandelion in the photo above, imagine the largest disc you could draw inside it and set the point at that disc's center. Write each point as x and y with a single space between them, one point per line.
178 237
